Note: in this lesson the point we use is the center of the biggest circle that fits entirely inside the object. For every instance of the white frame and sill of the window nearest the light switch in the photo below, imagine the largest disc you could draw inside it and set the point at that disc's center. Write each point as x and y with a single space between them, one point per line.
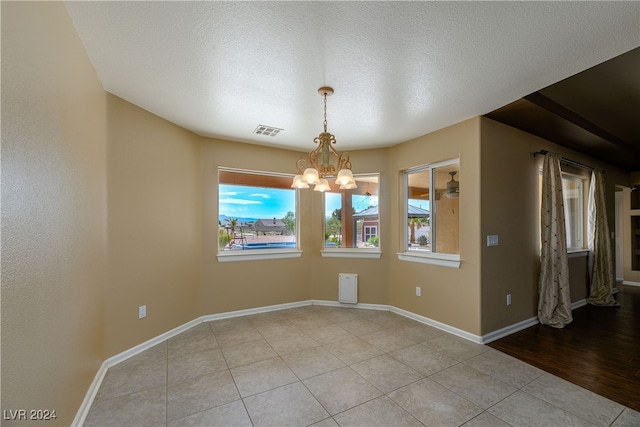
426 257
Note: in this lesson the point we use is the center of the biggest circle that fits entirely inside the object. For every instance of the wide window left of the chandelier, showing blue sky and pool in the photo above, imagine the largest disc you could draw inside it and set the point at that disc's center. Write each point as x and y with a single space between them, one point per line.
256 212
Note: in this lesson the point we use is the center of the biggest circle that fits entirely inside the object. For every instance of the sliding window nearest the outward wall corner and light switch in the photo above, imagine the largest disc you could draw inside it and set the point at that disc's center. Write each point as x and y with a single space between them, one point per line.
432 209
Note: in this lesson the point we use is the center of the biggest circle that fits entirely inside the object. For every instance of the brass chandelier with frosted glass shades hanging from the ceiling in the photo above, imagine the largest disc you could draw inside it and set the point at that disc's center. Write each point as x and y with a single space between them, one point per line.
318 165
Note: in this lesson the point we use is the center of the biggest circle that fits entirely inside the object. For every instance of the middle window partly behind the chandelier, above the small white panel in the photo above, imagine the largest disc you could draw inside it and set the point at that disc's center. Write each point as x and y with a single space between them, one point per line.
351 216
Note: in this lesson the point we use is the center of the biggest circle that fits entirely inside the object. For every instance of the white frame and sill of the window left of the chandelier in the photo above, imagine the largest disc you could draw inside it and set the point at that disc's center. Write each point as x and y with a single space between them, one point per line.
260 254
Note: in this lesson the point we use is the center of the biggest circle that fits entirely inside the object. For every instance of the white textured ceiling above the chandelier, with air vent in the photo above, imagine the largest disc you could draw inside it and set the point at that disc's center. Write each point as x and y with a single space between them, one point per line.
399 69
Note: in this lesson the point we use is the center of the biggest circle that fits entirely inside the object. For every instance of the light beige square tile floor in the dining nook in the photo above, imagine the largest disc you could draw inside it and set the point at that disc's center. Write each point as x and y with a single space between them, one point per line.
329 366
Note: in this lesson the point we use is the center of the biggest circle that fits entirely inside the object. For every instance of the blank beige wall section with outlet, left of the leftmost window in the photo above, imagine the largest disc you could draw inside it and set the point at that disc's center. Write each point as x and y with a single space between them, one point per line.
154 225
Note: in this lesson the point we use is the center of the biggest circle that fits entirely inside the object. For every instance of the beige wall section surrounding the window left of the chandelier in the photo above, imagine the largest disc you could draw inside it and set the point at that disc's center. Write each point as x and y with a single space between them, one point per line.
229 286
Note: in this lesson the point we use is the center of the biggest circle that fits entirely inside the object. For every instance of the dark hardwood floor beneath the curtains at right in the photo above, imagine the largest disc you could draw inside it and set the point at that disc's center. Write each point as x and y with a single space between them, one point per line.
599 350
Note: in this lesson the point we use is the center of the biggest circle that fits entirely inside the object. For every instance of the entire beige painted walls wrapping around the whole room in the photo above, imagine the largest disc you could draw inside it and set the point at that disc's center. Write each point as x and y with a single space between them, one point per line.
106 207
